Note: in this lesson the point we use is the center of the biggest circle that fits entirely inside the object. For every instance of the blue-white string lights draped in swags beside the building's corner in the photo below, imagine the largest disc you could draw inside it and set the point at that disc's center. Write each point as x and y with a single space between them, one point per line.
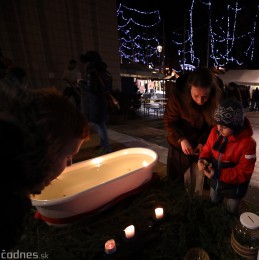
134 46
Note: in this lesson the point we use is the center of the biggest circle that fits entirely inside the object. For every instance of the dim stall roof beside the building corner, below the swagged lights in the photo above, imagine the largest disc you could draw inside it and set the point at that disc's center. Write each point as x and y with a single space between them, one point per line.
139 71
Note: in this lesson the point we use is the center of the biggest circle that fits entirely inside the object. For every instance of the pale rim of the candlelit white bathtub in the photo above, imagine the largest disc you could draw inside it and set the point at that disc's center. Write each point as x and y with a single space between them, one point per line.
43 203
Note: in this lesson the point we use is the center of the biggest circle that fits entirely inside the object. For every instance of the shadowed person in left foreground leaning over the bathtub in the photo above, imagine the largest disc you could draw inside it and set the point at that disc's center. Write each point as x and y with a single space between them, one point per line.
40 131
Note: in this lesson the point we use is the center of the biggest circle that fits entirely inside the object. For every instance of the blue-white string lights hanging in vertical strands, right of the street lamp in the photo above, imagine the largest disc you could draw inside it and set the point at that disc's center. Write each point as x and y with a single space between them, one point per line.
223 42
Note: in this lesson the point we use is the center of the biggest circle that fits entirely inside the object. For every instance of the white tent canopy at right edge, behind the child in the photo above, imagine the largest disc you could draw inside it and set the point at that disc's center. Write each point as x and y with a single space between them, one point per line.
241 77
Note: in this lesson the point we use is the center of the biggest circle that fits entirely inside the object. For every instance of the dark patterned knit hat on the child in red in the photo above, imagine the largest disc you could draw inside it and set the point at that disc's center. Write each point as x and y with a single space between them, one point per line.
230 113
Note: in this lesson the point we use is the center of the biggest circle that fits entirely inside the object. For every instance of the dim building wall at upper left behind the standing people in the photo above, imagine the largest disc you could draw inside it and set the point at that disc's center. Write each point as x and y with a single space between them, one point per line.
41 36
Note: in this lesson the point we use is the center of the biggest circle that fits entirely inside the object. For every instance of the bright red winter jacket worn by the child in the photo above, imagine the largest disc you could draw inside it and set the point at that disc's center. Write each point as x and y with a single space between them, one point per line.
240 151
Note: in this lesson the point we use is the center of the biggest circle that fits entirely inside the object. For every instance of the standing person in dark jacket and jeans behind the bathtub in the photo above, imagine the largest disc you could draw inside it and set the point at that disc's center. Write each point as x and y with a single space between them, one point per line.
97 82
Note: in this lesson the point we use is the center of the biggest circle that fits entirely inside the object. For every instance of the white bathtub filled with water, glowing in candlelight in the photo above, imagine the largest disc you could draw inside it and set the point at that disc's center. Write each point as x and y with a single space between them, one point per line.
88 186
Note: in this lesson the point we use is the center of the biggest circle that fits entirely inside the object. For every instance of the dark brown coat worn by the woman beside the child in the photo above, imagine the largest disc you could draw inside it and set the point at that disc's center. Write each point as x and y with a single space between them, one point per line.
184 118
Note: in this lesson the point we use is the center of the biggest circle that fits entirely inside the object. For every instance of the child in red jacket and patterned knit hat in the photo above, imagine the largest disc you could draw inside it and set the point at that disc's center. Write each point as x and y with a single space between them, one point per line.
229 155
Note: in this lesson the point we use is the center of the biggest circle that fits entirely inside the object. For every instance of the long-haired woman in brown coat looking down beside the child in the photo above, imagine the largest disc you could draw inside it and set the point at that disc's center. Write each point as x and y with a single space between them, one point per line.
188 119
